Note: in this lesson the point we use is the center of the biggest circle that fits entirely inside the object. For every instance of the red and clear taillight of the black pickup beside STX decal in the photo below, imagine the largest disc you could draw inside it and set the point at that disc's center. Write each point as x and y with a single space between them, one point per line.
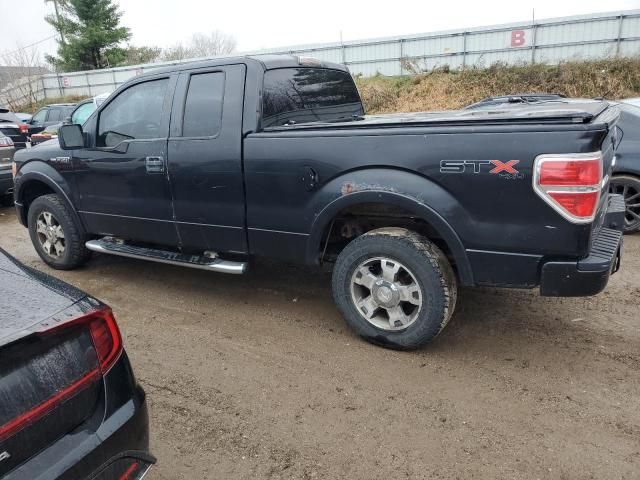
570 183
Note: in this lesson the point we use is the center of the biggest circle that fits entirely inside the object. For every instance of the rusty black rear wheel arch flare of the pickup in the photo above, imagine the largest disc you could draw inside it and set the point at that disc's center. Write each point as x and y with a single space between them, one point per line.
412 192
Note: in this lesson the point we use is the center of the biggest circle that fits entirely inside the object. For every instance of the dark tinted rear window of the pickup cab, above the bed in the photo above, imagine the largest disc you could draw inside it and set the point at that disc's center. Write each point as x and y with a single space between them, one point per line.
300 95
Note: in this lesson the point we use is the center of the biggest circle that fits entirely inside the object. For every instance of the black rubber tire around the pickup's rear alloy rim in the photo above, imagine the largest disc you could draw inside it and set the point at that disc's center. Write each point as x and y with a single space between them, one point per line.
426 264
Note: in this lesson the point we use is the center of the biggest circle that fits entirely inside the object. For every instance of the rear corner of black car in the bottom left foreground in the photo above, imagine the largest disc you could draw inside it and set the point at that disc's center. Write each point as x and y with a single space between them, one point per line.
70 407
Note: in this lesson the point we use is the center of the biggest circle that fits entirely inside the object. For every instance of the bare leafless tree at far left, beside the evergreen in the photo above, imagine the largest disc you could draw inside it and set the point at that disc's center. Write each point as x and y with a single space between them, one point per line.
22 70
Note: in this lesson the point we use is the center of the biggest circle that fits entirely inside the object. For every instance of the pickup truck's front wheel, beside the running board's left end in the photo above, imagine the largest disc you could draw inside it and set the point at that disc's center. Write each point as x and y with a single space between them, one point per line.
55 234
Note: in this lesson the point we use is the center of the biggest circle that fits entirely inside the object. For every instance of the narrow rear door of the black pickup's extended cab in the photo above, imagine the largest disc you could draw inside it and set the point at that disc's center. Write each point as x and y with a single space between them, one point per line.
205 159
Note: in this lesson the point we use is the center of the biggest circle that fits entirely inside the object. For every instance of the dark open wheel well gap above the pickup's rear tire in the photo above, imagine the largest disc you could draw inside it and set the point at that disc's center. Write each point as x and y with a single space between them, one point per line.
358 219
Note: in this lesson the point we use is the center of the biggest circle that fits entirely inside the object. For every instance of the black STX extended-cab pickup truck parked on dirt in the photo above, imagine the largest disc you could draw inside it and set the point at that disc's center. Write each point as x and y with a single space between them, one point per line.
208 164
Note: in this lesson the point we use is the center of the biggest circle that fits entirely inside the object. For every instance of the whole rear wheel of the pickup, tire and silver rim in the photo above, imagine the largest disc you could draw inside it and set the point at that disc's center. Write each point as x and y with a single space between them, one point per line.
394 288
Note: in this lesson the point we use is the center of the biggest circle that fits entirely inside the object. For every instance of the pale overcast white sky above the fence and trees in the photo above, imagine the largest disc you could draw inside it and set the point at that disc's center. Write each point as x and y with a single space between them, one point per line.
260 24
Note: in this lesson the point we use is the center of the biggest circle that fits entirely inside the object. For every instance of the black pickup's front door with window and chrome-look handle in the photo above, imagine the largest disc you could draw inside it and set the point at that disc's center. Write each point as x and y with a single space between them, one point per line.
122 181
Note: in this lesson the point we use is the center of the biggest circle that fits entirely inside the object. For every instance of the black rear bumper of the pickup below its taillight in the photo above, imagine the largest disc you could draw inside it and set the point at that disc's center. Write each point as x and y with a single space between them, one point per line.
590 275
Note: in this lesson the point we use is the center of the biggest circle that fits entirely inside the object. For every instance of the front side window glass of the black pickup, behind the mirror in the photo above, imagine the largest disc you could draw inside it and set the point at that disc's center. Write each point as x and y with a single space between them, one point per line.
134 114
